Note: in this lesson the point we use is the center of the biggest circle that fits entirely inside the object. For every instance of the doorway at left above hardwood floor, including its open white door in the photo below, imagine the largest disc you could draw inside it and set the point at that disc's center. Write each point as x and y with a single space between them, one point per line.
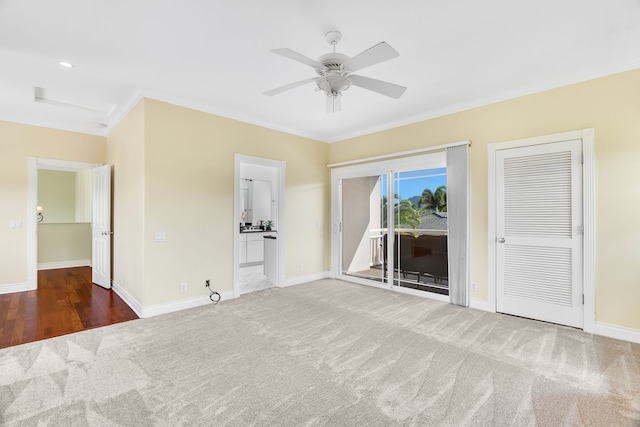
82 221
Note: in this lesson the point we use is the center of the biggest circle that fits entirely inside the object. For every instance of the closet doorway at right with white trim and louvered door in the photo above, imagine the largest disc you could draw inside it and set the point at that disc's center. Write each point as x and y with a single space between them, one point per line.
541 228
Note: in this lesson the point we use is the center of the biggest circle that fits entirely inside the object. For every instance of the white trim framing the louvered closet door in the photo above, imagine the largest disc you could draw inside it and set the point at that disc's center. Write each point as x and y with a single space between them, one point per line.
588 262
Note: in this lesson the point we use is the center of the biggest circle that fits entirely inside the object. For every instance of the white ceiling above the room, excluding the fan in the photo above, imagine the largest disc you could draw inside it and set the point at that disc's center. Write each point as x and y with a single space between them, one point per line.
213 55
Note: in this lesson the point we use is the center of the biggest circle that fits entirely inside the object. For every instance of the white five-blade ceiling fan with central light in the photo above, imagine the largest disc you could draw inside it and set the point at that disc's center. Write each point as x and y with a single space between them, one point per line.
335 71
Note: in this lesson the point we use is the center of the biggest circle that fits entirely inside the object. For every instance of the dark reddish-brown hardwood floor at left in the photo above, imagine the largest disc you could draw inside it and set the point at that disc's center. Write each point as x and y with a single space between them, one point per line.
66 301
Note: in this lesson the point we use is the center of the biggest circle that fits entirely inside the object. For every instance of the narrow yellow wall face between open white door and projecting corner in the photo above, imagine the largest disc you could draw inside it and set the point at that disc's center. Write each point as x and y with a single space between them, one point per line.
125 150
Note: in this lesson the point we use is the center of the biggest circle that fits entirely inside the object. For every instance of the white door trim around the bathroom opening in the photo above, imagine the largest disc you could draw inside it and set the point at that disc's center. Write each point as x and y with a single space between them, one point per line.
280 221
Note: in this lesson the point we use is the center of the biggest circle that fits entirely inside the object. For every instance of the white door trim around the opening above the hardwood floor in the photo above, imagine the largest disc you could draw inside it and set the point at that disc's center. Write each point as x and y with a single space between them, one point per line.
34 164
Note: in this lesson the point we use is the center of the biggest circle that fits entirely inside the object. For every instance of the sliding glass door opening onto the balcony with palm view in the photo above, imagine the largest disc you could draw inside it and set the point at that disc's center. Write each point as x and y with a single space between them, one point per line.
393 224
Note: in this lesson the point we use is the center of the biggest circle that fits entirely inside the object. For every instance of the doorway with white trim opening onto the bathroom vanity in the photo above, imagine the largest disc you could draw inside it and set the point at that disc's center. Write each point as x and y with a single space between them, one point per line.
259 224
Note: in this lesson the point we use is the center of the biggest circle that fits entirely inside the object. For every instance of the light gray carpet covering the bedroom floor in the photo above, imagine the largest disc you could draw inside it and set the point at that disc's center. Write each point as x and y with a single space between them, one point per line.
323 353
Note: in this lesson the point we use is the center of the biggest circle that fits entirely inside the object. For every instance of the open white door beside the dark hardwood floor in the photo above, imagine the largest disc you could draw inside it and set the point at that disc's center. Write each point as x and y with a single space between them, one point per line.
101 225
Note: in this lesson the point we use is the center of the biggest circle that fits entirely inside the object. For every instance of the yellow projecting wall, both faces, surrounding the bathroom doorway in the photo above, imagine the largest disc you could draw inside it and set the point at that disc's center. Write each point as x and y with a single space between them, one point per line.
181 182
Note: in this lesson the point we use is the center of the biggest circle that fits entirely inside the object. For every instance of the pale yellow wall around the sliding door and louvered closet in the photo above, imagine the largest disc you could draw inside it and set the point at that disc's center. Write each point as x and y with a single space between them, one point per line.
609 105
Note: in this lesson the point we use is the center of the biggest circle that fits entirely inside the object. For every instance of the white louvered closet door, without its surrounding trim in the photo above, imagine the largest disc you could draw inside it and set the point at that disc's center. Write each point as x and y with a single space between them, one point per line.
539 232
